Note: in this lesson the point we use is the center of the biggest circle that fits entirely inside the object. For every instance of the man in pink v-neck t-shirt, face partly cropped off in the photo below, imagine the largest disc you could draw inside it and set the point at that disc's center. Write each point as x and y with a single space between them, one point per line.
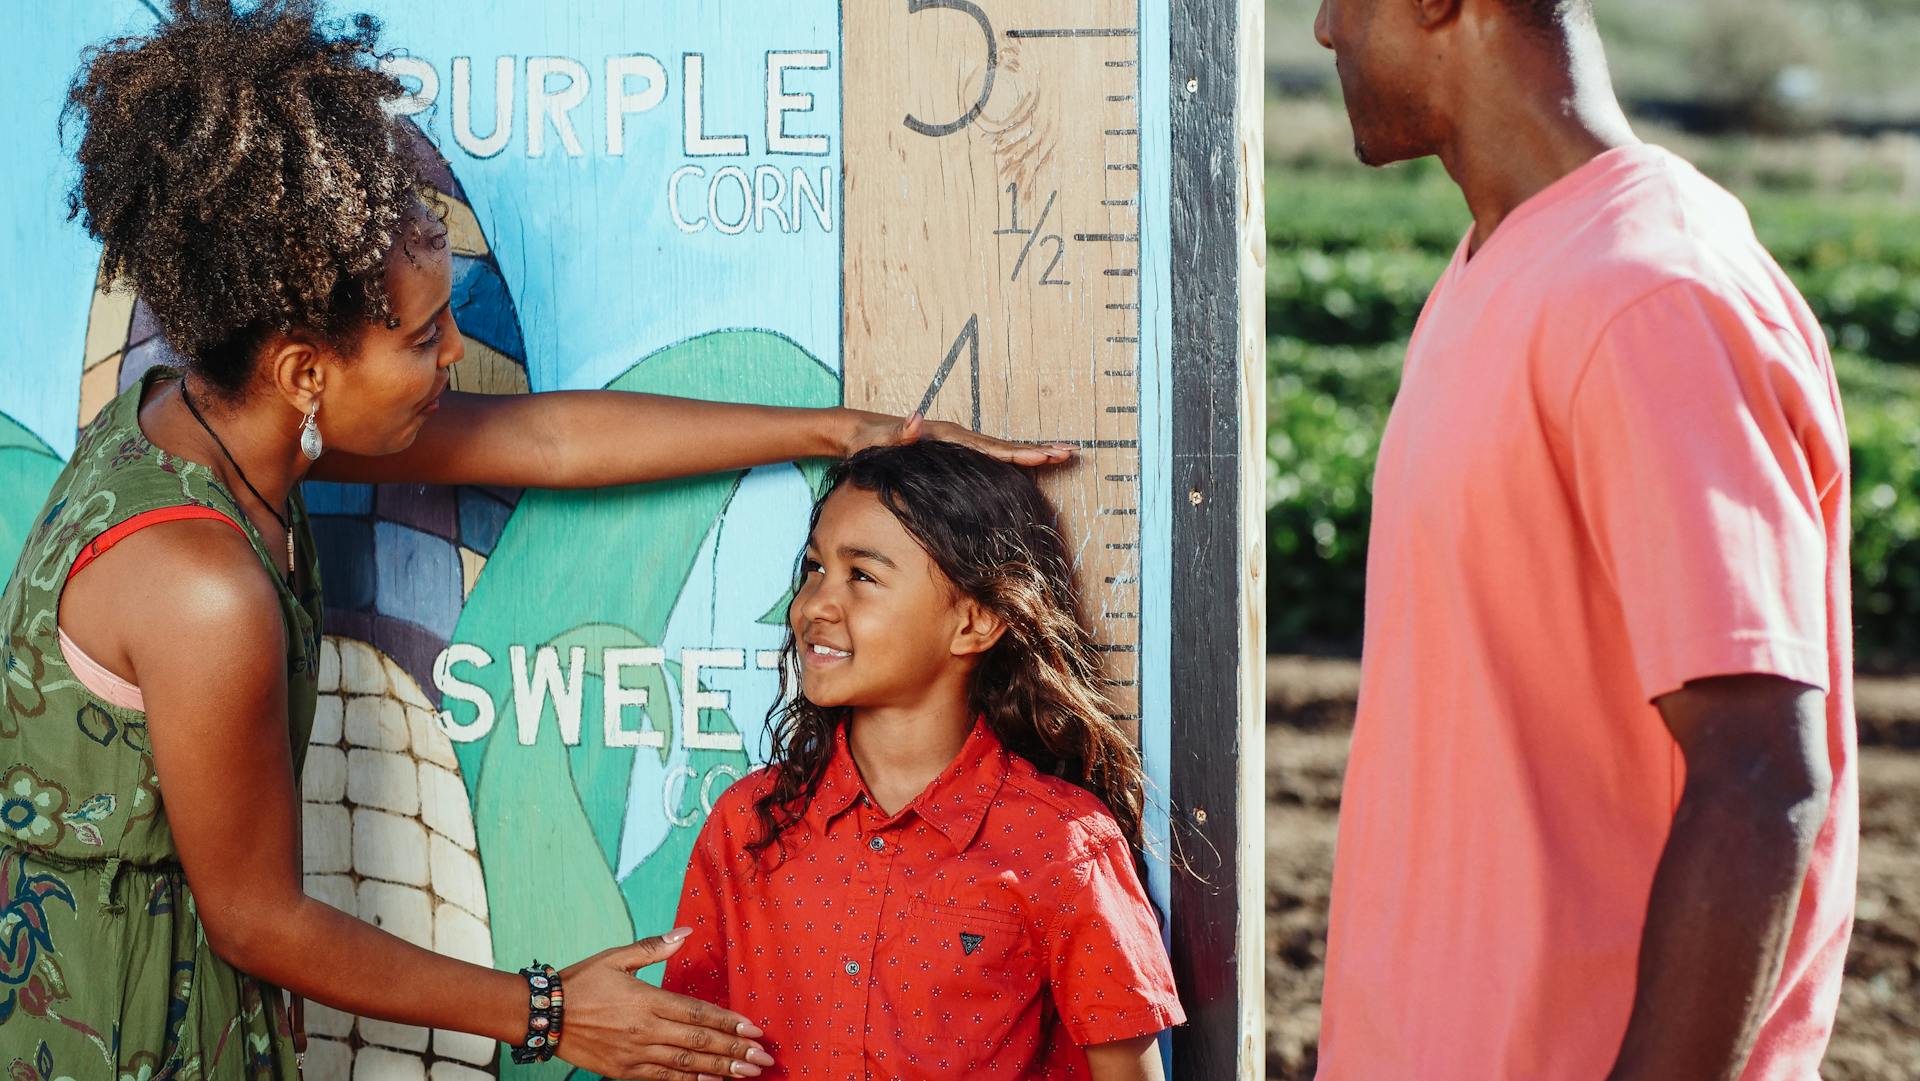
1600 819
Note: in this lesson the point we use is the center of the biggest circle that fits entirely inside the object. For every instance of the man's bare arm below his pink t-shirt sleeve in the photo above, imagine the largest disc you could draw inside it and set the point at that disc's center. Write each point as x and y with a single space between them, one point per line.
1729 882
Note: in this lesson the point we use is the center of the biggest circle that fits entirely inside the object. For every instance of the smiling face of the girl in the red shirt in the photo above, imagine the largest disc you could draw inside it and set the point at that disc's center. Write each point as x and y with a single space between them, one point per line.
875 619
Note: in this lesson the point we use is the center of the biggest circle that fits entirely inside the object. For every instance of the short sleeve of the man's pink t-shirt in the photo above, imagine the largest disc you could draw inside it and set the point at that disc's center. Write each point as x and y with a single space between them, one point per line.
1704 444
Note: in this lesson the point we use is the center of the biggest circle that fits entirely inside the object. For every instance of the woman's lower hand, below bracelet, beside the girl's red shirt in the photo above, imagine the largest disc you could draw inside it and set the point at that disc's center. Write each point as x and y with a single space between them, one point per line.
619 1026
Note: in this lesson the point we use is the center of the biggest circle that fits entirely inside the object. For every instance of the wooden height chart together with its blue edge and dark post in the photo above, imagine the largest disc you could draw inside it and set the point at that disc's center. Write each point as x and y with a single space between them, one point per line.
1045 220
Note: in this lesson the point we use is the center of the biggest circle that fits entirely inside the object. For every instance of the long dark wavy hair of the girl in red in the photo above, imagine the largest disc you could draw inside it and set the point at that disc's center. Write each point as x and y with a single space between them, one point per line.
992 531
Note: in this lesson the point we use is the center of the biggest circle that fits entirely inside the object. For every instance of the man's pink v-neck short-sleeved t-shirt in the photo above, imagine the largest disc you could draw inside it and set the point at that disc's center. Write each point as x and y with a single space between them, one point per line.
1618 464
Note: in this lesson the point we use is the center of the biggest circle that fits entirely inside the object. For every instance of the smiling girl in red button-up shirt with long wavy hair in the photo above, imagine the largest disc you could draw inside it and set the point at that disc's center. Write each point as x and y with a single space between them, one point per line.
936 875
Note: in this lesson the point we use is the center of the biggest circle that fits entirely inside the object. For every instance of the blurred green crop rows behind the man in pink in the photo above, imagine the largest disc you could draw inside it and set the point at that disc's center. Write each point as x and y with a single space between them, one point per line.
1351 262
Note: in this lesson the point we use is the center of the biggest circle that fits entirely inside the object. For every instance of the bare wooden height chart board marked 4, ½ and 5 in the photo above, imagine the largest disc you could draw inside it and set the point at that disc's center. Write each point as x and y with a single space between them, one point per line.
994 252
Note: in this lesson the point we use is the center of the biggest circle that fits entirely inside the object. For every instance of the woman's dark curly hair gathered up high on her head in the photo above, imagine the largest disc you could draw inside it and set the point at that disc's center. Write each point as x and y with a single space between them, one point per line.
243 176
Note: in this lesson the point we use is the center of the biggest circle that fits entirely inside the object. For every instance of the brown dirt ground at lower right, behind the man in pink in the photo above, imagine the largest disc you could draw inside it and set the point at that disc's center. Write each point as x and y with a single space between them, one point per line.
1310 709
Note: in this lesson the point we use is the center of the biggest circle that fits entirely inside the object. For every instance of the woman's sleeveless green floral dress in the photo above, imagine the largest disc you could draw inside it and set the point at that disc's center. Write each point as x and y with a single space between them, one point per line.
105 967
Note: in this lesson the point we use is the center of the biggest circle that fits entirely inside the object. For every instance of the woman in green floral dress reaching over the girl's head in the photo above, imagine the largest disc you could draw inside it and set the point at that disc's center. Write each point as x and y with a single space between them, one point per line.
162 625
